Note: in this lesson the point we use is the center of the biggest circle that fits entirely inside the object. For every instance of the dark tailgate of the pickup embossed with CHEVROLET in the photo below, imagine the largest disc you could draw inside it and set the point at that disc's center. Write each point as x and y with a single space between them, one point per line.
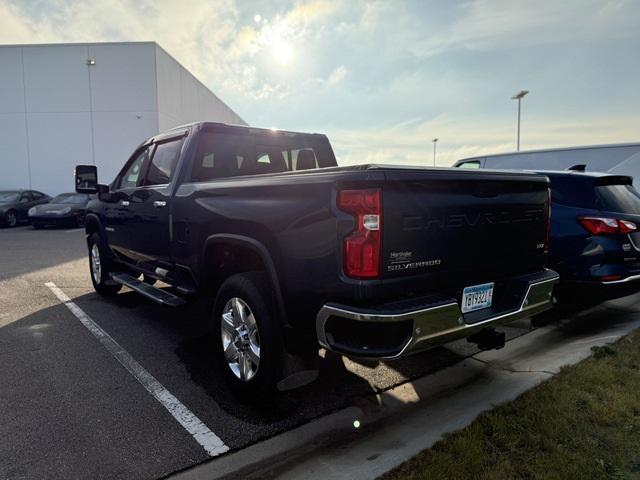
462 226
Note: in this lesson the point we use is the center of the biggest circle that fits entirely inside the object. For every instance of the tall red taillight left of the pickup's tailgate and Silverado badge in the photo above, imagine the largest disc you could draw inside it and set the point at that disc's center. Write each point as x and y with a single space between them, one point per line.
363 246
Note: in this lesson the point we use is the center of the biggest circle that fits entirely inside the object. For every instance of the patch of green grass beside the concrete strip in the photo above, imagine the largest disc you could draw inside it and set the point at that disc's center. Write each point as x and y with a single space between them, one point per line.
582 424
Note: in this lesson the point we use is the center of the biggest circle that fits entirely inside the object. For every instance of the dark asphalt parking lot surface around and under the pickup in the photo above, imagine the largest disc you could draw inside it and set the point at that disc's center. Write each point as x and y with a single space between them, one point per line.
71 410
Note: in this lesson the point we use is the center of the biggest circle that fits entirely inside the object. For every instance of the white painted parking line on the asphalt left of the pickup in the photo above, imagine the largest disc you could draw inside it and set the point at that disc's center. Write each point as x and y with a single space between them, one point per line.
212 444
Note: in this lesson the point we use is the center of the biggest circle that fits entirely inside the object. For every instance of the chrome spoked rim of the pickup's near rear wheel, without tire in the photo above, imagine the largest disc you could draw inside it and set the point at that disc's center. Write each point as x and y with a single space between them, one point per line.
240 339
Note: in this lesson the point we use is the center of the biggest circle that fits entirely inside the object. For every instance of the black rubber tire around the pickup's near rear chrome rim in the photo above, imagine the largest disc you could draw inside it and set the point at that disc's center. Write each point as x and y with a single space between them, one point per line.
253 289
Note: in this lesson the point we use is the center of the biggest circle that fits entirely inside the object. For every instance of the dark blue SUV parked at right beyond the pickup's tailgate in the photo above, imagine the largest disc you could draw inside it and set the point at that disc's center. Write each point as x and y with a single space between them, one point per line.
595 237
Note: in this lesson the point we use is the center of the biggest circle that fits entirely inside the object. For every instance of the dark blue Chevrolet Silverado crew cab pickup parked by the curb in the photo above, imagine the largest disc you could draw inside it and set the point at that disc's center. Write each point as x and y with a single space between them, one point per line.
297 254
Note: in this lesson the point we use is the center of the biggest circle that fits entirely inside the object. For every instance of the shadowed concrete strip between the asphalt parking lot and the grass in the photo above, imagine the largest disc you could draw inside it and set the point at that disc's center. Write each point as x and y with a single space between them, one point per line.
381 432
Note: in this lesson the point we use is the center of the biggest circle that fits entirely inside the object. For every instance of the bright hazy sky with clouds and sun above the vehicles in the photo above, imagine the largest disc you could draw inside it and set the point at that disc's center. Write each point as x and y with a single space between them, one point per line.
384 78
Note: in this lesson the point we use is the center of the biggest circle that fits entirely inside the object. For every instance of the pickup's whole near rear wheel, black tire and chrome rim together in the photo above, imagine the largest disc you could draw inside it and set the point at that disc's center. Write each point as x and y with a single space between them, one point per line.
247 339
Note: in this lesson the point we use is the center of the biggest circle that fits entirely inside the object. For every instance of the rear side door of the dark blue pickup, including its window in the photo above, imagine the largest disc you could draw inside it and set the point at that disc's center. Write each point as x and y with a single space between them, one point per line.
147 218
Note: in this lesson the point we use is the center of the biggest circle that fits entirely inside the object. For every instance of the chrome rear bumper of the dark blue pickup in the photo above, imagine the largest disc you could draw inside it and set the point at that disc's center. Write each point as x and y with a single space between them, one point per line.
393 330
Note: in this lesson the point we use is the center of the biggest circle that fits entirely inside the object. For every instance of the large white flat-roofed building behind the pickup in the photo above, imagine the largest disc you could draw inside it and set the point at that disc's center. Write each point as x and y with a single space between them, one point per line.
68 104
